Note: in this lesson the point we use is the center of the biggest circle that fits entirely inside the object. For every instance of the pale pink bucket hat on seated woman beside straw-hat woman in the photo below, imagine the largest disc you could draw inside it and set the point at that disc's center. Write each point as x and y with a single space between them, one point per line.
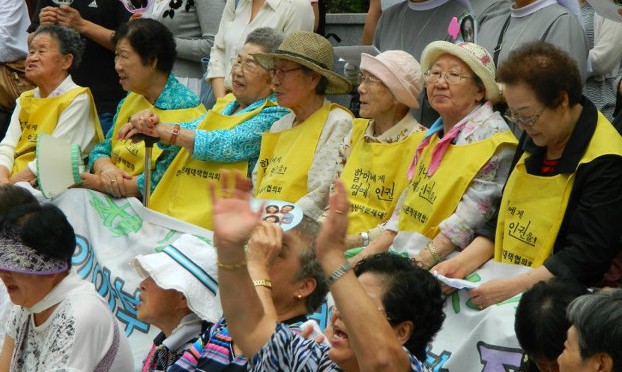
399 71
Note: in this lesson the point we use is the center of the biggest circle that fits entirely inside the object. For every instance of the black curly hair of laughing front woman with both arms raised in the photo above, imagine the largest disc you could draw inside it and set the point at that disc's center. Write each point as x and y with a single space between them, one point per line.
411 294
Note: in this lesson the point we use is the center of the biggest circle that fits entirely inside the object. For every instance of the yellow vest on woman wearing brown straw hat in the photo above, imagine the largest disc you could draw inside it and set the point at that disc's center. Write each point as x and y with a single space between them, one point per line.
285 158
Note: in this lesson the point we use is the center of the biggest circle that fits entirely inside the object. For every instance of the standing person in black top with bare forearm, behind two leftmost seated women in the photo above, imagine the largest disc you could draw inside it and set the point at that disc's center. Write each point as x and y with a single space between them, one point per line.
95 21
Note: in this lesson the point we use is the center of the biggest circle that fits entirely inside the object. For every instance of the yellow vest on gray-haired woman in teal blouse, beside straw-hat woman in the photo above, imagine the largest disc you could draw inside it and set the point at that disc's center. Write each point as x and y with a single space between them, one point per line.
183 190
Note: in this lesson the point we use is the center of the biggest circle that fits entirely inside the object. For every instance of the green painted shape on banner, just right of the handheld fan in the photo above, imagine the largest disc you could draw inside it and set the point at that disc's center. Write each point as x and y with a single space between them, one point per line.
116 217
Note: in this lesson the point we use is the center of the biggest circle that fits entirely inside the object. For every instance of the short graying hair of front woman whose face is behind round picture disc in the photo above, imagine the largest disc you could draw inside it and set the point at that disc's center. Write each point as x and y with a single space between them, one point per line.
310 267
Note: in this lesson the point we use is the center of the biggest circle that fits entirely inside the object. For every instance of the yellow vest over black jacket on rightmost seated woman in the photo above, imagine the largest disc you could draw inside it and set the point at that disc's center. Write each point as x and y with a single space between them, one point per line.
532 207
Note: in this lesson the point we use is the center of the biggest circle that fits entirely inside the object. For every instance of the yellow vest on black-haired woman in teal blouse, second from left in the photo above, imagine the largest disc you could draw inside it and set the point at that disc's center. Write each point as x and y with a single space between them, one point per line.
129 156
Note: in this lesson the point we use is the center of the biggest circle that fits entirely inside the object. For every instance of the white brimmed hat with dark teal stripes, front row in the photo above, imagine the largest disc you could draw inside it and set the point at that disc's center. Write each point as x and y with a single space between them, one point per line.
188 266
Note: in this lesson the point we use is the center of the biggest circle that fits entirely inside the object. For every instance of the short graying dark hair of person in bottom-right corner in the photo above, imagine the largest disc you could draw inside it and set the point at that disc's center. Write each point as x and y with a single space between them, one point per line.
598 321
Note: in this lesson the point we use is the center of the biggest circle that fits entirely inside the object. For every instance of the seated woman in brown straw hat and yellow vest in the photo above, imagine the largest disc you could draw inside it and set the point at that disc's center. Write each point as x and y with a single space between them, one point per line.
298 157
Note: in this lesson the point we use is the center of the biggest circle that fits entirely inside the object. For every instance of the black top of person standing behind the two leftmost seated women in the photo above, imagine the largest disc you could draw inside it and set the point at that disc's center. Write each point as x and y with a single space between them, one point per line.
97 68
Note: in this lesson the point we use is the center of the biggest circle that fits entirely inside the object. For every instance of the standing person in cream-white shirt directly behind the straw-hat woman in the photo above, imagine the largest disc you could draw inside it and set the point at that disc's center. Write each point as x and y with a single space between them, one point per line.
239 19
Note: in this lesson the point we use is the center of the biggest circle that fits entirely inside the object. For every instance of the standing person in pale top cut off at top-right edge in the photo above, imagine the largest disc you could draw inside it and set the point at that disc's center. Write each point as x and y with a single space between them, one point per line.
604 57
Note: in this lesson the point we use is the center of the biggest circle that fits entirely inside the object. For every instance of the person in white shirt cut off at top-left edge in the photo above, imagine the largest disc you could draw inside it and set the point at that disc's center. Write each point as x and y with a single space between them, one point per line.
14 21
